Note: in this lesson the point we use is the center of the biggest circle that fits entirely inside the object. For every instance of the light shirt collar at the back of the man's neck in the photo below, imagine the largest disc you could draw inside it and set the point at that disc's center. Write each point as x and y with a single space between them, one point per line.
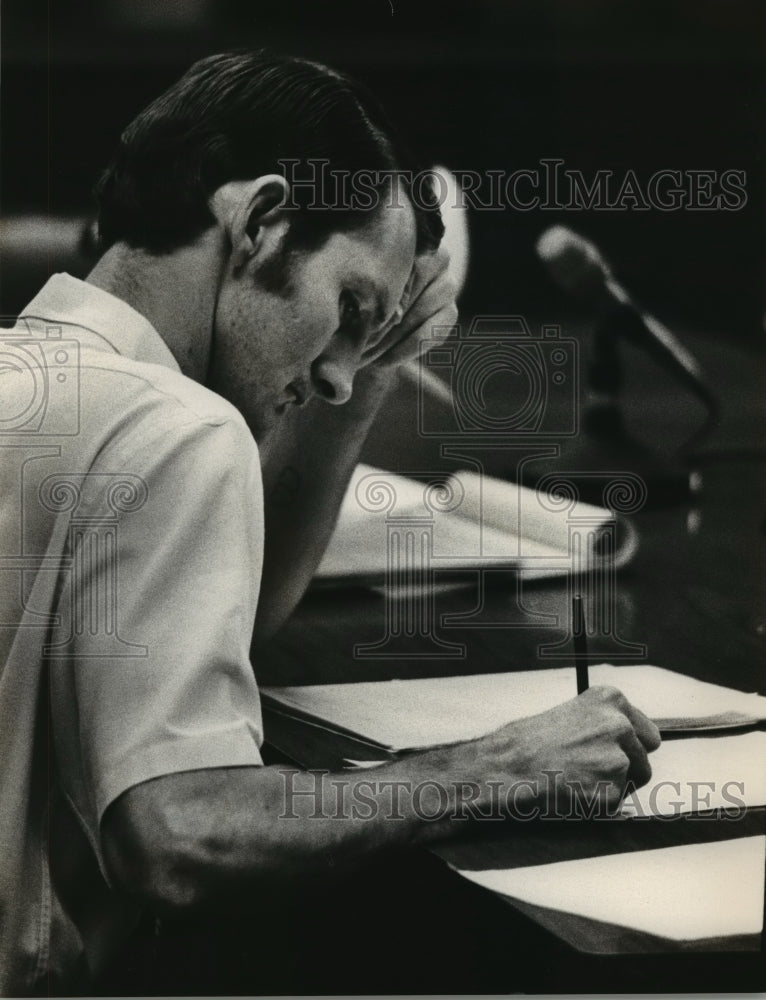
65 299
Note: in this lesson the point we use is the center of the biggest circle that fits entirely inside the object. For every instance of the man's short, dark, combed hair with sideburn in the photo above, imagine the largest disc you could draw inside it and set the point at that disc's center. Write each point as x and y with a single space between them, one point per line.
234 116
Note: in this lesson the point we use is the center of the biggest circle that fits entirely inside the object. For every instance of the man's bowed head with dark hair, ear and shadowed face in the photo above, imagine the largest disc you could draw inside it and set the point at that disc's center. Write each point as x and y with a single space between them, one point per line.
300 287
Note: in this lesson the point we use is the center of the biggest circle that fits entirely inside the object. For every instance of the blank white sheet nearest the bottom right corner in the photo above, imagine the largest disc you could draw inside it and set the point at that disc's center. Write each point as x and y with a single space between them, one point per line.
684 893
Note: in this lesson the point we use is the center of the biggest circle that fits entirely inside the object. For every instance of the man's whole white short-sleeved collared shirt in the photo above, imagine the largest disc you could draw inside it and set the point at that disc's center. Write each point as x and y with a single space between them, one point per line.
131 527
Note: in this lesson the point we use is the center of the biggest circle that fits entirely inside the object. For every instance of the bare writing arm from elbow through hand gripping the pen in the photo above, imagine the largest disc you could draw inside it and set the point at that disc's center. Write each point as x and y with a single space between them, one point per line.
205 838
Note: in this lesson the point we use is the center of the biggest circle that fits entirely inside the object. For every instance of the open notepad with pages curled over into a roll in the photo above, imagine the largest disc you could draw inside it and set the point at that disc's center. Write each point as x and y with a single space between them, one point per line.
468 522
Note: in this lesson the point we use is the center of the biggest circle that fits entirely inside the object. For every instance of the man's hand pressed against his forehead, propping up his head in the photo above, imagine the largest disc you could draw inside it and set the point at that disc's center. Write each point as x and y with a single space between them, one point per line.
428 302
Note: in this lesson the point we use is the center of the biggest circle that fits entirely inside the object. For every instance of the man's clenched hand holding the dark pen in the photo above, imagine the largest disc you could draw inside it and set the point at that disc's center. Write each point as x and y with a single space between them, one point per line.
596 742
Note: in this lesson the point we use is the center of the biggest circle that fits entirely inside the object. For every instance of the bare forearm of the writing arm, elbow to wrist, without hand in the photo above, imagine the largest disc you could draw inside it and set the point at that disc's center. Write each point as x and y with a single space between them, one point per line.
205 839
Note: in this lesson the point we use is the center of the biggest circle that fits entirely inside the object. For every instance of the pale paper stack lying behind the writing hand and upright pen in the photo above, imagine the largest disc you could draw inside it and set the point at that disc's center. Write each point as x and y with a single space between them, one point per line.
407 714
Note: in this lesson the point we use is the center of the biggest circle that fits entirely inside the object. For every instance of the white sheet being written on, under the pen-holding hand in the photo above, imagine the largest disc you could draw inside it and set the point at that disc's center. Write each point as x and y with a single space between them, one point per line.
699 774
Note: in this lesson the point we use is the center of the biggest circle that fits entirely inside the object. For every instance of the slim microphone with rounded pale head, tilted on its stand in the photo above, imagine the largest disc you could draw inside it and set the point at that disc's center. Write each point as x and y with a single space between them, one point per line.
577 266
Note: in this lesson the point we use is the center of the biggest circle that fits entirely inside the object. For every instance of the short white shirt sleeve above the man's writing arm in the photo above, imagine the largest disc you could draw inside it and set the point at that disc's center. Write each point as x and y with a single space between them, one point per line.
160 606
